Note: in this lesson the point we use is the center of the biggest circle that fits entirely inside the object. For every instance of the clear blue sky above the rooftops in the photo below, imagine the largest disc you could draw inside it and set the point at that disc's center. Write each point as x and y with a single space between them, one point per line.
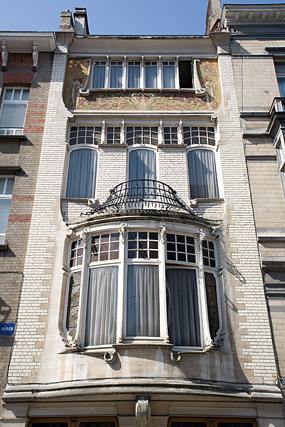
111 17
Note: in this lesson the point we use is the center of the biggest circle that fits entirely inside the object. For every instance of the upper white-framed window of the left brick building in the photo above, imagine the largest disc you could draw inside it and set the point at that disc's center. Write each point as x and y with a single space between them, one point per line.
13 111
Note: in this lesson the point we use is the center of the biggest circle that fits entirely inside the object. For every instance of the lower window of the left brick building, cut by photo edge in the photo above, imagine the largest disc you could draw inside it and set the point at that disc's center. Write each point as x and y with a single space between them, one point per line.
6 191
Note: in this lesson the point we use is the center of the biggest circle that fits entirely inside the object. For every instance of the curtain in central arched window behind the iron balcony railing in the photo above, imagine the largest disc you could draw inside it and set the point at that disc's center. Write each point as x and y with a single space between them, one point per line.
142 166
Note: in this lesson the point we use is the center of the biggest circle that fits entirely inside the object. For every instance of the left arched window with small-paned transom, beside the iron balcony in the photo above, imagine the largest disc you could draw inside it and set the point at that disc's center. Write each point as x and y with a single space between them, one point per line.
82 169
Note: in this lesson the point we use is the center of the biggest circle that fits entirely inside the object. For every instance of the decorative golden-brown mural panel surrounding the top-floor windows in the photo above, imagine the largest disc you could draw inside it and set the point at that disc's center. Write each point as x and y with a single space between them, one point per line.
77 72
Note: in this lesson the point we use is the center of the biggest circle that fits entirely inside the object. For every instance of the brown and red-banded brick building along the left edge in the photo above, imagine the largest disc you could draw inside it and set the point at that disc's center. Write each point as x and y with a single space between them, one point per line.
26 63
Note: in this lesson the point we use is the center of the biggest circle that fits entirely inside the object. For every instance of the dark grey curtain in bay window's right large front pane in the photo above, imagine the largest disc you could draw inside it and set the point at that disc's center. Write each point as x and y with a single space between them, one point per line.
183 307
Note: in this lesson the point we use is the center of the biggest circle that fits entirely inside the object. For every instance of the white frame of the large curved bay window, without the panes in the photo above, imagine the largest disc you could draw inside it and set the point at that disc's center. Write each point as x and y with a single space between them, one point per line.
122 262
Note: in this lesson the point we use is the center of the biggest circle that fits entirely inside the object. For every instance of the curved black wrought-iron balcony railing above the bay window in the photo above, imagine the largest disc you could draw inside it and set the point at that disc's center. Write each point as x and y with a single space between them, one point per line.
142 194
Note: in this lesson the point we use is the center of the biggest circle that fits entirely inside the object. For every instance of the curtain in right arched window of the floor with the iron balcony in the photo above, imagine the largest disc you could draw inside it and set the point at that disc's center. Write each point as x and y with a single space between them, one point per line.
202 174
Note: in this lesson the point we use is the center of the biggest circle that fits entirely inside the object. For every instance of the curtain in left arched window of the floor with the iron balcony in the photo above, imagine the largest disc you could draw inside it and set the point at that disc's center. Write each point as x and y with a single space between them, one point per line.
81 182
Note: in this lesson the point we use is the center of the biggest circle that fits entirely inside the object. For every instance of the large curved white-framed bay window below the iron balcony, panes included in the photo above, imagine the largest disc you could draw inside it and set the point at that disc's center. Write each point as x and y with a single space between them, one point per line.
150 284
